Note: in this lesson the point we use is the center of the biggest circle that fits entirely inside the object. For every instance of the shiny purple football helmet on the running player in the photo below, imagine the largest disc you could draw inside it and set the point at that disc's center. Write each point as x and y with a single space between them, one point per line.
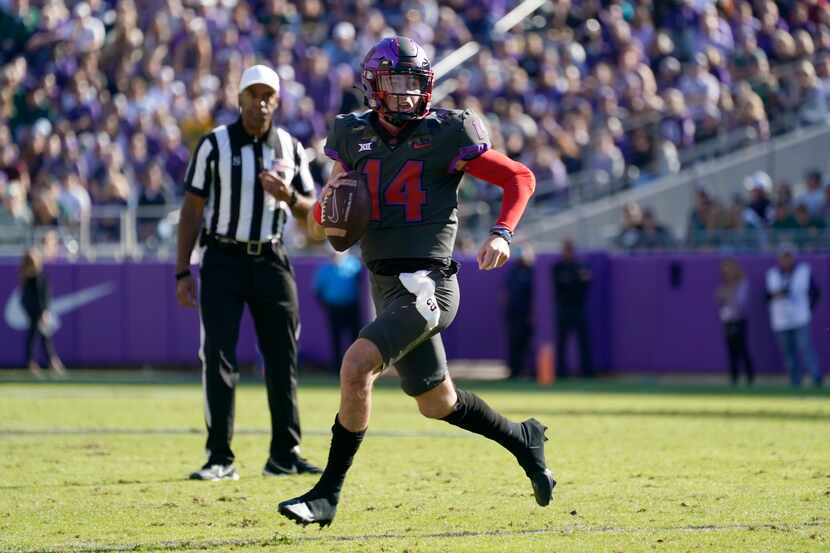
396 56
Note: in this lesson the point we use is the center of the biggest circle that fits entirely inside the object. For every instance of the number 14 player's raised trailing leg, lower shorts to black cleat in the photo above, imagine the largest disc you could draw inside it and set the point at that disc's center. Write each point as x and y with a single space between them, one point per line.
424 376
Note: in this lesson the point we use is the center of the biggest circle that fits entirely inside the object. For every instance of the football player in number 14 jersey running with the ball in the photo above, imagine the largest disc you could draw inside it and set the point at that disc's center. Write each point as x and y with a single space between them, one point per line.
413 158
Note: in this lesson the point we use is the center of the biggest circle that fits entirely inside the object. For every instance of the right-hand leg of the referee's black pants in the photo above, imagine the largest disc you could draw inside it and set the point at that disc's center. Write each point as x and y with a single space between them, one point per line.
275 311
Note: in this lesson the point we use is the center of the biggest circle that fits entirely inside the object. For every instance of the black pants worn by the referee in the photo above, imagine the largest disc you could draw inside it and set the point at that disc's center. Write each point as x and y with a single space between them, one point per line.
229 280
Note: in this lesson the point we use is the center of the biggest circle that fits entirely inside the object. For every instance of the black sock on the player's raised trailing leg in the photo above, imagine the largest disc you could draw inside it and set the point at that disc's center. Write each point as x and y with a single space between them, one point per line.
473 414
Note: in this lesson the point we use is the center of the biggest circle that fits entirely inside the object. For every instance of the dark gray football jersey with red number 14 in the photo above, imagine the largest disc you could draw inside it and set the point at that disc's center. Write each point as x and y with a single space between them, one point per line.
413 184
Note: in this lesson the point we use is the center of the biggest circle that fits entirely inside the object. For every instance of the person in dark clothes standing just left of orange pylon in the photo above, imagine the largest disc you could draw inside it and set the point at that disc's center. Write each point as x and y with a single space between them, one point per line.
518 311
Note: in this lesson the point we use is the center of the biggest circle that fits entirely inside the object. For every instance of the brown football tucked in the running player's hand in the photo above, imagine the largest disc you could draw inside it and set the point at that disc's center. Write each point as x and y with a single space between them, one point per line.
346 211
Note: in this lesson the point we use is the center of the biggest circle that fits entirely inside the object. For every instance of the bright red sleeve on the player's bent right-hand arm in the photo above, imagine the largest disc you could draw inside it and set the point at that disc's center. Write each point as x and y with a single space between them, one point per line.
513 177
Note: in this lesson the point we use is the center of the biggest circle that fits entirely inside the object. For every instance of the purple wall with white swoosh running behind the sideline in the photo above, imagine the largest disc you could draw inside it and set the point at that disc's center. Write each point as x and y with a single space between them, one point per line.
648 314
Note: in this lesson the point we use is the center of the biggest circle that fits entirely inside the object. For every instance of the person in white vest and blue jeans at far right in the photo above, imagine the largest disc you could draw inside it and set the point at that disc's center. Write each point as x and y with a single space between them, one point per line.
792 294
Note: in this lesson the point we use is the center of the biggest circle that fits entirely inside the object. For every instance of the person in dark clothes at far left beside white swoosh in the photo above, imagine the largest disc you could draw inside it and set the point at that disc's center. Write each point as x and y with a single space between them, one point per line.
35 300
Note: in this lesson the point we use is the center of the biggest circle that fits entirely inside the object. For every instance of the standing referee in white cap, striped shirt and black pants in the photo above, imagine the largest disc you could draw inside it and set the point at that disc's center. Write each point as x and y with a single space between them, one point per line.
242 181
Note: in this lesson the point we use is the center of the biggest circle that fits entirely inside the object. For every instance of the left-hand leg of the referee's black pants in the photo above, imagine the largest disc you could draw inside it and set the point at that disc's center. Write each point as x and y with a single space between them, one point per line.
221 310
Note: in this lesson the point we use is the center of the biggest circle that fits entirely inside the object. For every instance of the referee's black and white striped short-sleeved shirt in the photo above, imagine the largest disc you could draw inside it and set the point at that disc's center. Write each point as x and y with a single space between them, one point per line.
224 169
